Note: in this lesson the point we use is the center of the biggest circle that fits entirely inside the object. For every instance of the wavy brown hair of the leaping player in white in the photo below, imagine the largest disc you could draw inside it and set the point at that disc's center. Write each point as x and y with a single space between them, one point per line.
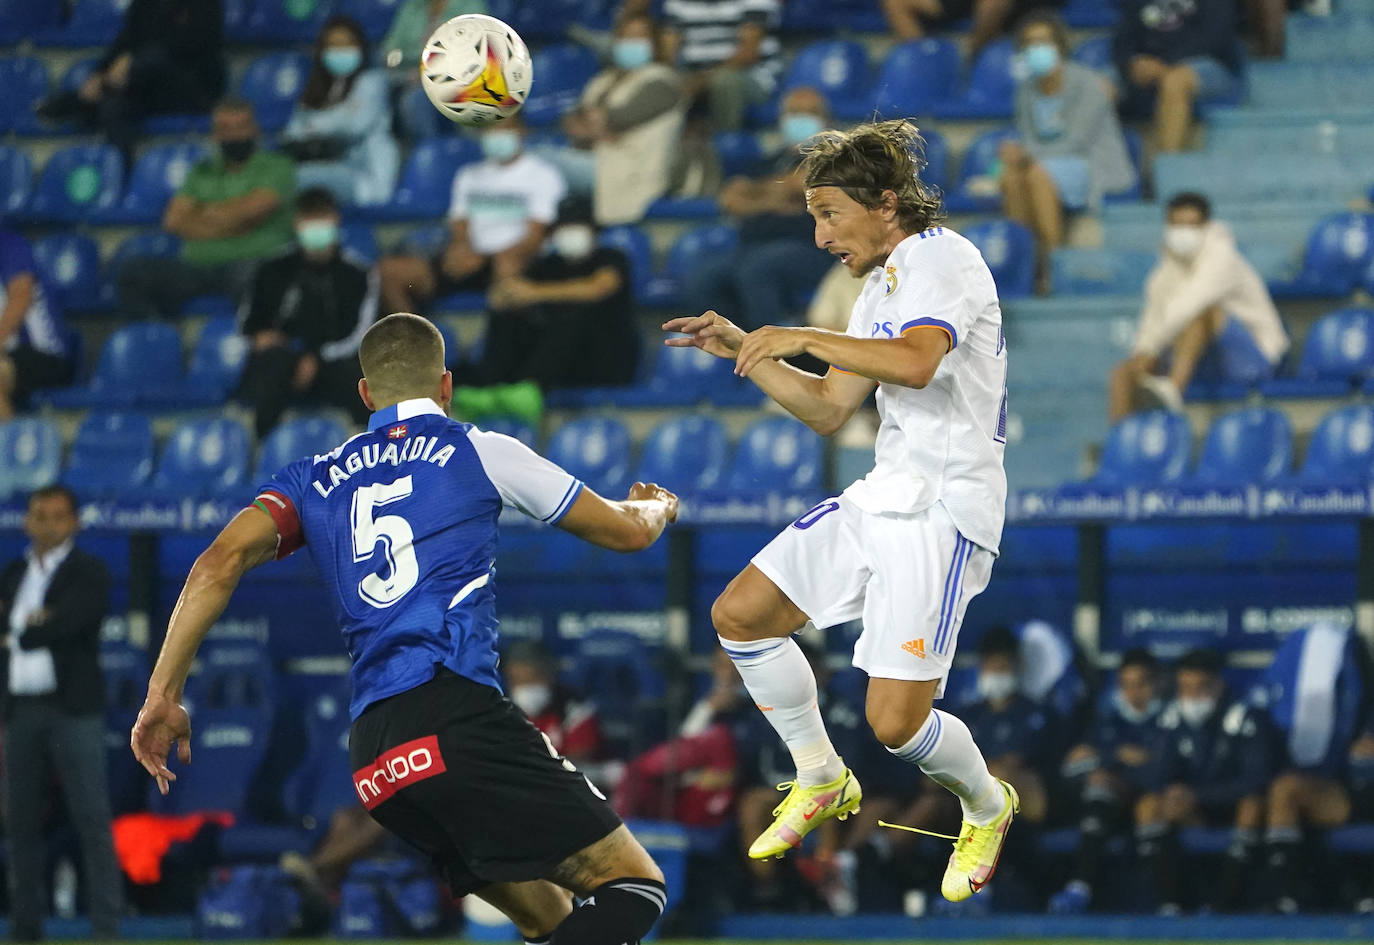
886 156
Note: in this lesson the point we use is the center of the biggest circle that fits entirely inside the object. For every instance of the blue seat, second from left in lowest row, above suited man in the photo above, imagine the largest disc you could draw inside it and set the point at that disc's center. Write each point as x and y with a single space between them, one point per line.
112 455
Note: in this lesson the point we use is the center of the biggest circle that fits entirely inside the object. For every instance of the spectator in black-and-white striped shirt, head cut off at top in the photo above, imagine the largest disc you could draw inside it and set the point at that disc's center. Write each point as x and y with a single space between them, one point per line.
730 50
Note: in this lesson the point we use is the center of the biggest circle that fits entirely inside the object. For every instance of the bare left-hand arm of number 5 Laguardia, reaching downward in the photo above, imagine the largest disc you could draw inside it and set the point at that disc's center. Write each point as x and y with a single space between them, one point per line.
245 543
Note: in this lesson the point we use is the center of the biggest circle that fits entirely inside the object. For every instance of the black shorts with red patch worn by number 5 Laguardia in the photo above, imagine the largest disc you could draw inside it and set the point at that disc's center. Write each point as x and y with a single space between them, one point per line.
455 770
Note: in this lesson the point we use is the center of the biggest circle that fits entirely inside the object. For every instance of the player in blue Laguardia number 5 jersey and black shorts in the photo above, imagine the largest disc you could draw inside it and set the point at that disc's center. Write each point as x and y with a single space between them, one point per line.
403 525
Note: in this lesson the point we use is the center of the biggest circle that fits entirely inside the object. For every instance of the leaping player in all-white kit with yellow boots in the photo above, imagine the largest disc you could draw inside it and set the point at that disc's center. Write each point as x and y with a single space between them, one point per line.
908 547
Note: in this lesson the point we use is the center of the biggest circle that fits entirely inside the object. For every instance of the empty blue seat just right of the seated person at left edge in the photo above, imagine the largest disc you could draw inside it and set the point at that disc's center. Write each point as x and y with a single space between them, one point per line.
141 365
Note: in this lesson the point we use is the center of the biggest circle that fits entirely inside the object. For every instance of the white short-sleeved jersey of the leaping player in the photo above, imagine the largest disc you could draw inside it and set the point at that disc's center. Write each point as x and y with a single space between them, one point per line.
945 443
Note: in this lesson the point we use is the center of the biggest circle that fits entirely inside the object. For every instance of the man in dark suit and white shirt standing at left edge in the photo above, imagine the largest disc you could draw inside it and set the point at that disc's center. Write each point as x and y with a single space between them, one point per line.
53 602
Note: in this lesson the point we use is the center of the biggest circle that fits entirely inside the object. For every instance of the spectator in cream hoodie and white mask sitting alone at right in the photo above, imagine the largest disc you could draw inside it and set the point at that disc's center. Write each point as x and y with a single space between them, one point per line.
1202 293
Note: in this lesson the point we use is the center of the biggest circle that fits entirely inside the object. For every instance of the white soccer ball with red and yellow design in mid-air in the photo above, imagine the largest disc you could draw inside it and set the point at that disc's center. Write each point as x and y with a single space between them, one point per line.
476 71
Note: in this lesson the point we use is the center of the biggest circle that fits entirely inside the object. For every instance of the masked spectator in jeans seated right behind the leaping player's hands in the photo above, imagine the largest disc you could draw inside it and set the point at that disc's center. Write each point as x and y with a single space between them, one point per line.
777 266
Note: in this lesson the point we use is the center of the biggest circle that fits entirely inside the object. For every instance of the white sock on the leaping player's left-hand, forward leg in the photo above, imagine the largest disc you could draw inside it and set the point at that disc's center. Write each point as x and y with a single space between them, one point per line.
784 687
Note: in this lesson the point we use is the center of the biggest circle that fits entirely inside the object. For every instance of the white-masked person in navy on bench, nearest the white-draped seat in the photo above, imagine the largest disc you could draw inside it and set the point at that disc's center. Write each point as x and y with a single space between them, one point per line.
1213 766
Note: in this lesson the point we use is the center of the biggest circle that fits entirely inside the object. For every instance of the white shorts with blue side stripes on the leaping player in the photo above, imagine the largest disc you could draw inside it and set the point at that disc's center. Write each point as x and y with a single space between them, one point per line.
910 578
